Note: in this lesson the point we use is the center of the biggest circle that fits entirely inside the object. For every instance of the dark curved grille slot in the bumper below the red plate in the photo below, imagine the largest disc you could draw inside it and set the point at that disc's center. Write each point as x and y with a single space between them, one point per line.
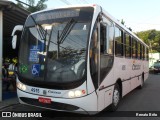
53 105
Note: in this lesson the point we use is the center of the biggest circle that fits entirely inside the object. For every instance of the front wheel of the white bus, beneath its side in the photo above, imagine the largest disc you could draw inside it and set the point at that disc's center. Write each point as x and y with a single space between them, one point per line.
115 98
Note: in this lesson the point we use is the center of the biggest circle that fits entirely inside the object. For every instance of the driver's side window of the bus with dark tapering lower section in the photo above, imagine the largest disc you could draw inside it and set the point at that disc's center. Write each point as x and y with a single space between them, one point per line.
106 49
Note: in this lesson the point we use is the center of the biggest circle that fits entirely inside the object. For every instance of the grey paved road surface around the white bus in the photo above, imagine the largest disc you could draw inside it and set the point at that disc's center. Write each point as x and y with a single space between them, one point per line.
146 99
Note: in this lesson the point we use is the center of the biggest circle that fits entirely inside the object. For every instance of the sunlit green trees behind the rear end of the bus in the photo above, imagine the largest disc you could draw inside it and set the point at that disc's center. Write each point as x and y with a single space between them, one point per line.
151 38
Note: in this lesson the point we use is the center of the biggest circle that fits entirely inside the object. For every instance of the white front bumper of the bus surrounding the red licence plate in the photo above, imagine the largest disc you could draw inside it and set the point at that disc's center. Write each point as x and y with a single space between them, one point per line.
83 105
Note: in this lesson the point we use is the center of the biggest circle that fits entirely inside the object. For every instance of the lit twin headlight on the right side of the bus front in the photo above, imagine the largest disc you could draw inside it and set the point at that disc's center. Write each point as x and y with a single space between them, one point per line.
76 93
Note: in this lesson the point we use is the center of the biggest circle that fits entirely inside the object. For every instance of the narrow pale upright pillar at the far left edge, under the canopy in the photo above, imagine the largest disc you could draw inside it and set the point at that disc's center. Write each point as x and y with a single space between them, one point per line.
1 51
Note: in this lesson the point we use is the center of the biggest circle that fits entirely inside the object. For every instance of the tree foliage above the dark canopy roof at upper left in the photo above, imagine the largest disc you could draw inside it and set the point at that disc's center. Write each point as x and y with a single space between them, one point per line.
32 7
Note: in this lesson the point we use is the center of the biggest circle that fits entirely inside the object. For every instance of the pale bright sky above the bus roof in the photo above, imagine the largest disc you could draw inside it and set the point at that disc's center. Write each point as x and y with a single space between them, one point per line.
140 15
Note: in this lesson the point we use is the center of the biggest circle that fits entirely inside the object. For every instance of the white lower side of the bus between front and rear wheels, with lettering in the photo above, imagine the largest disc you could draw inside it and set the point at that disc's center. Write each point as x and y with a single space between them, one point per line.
126 71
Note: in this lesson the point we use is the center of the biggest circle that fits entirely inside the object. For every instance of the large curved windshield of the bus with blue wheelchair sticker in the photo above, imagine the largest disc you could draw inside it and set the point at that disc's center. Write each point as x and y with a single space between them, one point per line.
53 48
